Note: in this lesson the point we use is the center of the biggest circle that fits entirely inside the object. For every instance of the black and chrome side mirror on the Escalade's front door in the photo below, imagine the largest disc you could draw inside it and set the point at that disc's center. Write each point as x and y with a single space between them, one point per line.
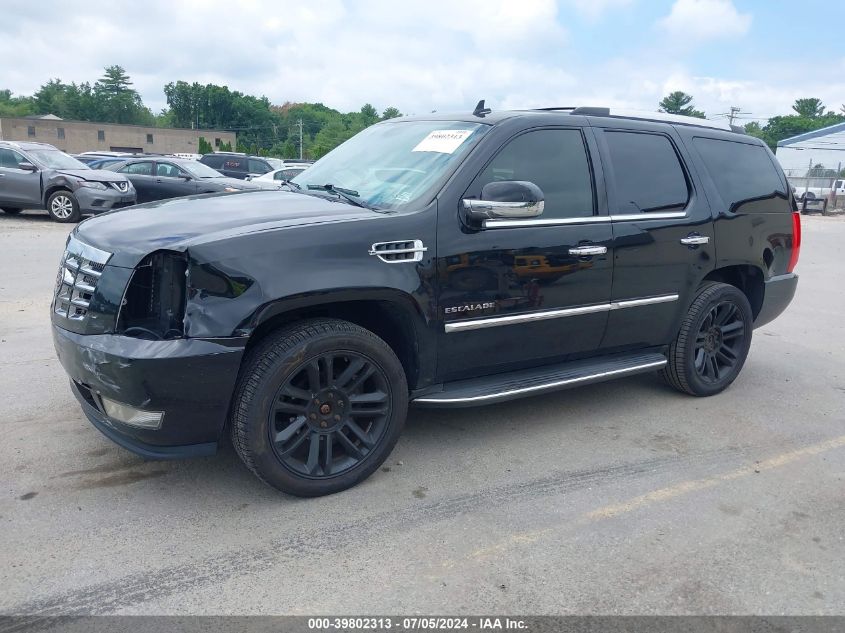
506 200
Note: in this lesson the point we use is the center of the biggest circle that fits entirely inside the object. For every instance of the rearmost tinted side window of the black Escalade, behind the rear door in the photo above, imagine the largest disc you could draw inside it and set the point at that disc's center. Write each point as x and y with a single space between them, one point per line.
740 171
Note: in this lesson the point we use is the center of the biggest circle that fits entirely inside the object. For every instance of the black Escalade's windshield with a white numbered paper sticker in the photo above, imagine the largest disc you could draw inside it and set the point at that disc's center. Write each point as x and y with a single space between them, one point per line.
390 165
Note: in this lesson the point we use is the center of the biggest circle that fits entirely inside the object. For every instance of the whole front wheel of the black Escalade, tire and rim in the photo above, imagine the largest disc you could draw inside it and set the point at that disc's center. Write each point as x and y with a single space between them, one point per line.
318 407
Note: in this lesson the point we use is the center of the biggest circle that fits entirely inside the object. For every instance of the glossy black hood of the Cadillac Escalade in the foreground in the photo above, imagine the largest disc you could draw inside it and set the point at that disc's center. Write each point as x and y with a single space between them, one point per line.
179 223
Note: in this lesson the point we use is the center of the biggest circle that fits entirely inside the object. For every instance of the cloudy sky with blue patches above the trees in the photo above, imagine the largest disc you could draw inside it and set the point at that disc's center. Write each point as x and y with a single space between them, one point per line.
443 55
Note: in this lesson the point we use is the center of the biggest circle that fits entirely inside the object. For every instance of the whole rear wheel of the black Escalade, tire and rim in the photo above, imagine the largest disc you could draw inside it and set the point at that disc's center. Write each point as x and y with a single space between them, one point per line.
713 342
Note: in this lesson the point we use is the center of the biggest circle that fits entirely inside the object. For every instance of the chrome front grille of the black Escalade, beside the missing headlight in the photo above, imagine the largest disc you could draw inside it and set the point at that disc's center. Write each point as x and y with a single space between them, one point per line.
81 268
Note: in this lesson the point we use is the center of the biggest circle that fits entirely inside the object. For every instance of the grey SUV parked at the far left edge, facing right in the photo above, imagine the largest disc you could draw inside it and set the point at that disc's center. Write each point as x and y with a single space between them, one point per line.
40 176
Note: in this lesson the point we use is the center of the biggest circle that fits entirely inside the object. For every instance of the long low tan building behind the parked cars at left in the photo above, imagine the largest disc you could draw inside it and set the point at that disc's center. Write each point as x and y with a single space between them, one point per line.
81 136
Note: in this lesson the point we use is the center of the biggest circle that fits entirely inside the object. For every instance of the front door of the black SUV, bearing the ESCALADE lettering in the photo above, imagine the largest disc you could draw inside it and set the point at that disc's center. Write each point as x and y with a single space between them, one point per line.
519 293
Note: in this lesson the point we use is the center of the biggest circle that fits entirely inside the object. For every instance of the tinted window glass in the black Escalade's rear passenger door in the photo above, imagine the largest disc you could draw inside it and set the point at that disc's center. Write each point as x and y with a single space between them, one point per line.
647 171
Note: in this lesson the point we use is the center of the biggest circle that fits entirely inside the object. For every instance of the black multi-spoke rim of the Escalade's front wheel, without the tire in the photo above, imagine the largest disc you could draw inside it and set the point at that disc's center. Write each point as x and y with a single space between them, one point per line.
329 414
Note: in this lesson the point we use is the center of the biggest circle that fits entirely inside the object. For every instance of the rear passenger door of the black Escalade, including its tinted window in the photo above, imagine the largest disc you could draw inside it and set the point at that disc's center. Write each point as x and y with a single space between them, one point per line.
662 231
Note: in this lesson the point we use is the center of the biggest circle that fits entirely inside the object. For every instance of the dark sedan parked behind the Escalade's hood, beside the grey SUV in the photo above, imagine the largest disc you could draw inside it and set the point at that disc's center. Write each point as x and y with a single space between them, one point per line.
161 177
